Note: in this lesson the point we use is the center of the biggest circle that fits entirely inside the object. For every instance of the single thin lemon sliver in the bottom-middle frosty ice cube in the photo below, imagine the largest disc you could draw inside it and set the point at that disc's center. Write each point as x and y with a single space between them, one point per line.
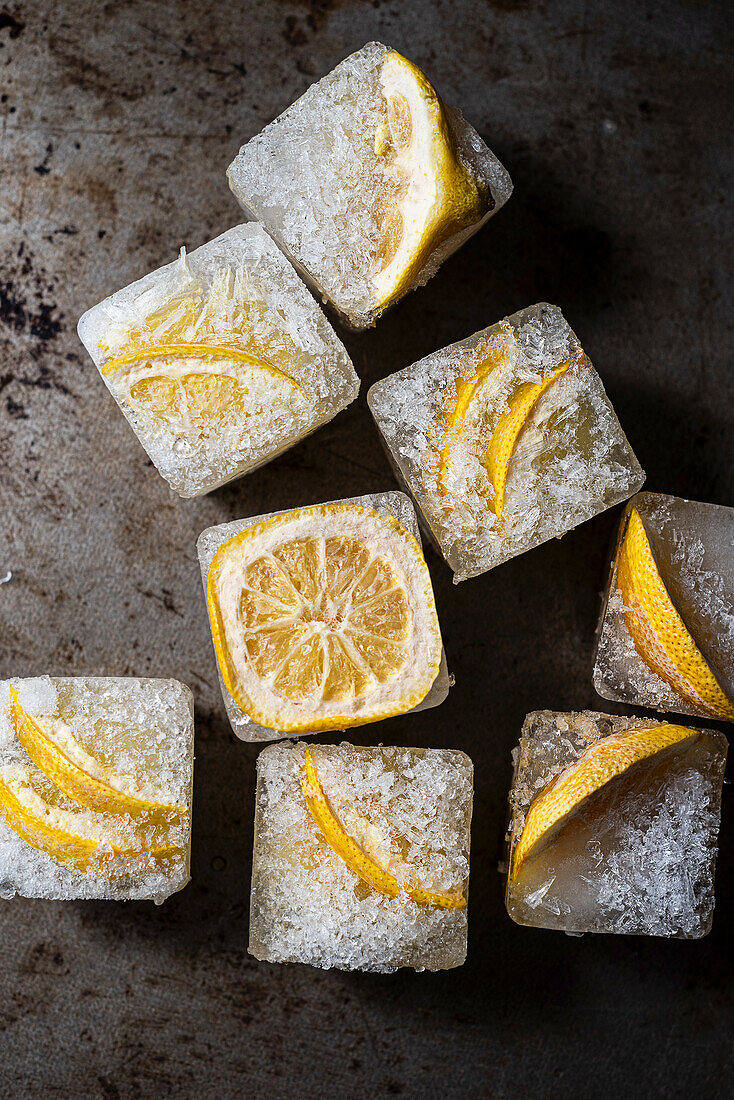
355 857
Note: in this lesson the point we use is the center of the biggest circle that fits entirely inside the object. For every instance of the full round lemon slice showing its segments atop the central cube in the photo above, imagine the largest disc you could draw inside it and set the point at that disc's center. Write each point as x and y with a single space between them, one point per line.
324 619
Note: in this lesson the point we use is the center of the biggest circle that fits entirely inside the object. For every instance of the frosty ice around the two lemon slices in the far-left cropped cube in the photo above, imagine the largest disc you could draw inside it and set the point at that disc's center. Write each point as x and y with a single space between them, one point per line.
141 730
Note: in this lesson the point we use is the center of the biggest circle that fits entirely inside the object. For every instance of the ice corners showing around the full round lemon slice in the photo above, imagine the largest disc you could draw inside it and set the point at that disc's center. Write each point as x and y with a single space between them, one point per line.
397 505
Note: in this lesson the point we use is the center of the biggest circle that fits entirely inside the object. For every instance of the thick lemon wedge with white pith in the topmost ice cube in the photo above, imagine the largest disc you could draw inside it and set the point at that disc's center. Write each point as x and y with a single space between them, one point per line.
433 195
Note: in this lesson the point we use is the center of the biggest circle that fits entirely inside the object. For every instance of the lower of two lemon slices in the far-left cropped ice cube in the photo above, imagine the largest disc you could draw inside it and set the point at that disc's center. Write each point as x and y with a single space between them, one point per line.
68 848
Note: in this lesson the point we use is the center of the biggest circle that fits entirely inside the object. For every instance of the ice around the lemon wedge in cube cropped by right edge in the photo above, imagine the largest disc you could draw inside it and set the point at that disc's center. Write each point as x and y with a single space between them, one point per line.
694 548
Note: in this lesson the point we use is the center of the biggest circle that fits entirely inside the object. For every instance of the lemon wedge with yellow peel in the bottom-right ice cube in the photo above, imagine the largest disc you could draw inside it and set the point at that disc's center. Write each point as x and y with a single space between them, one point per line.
600 764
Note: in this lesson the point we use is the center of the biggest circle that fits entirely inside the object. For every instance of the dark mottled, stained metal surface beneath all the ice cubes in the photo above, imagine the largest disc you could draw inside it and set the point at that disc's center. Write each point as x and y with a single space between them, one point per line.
118 124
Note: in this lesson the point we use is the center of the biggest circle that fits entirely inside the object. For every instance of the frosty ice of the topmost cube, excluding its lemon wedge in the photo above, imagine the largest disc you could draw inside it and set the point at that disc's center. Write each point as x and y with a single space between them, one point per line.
313 179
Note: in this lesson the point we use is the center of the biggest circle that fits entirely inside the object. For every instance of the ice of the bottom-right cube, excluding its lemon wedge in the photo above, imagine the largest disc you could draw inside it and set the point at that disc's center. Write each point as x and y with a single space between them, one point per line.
638 856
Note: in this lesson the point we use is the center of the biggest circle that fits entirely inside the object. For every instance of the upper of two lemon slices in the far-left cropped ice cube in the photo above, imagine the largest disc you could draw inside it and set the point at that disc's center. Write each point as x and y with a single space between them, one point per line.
104 796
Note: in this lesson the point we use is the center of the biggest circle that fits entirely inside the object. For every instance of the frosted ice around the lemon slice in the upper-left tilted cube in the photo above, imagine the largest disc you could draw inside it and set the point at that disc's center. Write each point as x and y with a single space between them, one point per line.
286 318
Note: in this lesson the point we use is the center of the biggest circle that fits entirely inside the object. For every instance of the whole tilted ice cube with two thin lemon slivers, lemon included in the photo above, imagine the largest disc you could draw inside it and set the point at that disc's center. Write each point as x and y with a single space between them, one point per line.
505 441
